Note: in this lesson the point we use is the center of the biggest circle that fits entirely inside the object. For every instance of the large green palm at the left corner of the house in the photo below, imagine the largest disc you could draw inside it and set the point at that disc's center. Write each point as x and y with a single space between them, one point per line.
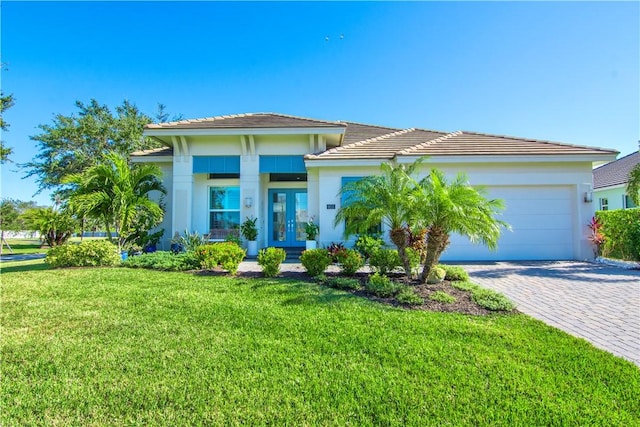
117 194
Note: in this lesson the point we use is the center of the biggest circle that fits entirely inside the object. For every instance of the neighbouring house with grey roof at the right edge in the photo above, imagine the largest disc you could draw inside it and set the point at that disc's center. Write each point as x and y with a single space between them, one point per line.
610 183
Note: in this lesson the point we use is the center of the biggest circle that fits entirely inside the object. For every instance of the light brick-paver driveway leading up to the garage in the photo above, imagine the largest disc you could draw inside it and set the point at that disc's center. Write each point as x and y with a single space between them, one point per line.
598 303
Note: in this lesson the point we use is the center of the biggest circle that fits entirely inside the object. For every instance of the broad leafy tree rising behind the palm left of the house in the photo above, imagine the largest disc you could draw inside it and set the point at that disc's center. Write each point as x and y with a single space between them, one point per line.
72 144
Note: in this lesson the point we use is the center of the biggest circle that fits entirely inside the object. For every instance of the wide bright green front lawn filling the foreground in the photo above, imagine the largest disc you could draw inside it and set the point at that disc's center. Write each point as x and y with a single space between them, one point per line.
133 347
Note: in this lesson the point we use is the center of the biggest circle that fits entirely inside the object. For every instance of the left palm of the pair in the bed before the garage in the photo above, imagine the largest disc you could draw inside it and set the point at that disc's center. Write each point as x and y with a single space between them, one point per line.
382 199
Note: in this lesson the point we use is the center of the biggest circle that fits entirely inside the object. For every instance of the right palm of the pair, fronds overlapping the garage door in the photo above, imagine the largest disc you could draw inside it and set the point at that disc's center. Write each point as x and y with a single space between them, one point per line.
455 208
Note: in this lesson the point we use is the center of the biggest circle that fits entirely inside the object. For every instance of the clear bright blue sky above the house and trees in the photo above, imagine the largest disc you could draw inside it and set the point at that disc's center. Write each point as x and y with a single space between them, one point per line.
566 72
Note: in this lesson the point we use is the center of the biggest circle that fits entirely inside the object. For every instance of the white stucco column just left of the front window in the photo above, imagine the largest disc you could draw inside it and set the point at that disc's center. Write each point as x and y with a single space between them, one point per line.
182 206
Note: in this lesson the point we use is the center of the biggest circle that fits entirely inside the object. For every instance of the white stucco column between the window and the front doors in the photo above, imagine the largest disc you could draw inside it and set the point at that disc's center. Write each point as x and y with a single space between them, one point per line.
250 188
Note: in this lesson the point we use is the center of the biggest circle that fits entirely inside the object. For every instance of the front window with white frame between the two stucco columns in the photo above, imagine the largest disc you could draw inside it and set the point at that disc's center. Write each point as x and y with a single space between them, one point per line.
224 212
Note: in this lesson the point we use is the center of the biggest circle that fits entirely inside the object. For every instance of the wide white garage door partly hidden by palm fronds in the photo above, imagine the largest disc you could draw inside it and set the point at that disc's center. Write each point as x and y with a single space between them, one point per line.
542 226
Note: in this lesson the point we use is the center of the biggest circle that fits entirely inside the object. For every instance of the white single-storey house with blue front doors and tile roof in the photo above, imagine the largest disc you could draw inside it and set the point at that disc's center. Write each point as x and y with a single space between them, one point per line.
285 170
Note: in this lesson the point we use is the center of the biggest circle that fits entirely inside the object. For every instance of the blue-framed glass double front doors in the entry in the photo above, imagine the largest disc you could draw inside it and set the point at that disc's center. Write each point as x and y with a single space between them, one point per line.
287 216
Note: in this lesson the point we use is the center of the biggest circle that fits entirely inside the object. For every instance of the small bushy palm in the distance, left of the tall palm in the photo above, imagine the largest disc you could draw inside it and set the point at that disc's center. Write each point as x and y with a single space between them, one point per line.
54 225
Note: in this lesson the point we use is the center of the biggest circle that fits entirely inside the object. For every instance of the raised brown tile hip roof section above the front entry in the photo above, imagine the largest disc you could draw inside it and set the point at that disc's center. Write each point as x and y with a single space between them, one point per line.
247 120
